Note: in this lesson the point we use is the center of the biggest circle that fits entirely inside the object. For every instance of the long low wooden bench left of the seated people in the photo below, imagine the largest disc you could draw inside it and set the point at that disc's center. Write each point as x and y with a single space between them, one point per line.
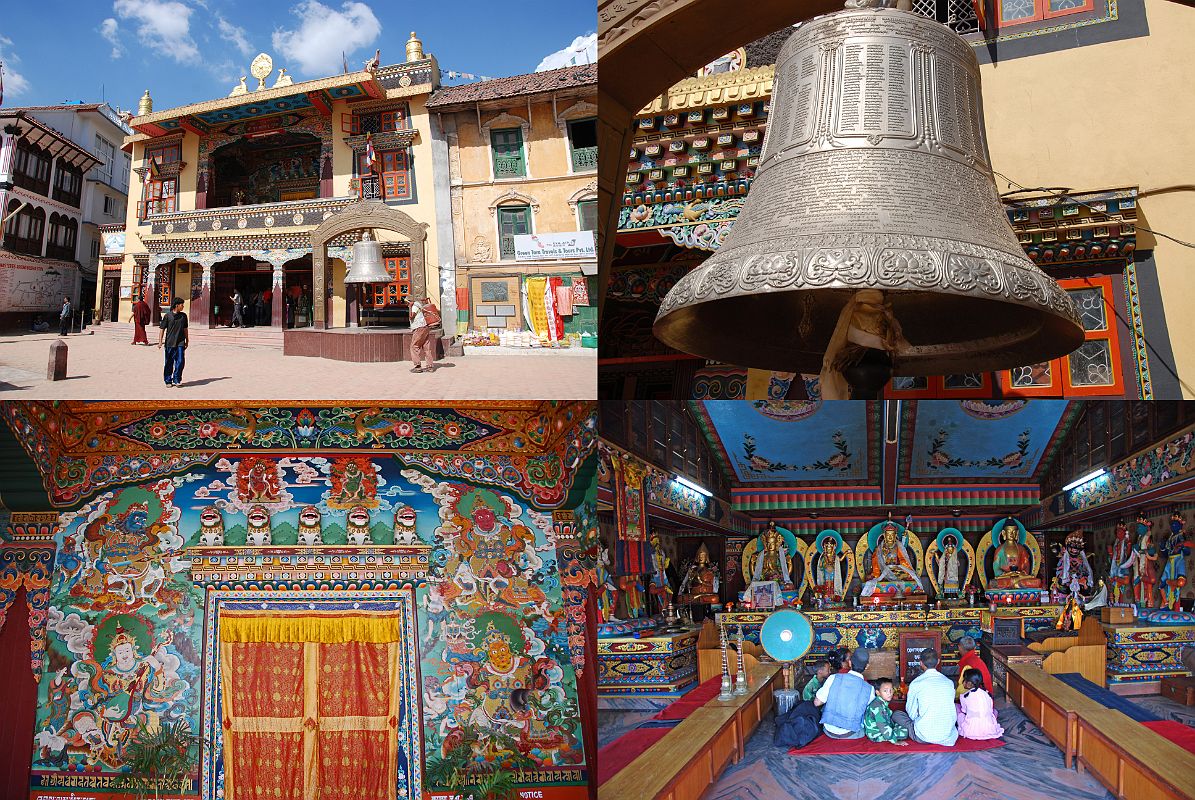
688 761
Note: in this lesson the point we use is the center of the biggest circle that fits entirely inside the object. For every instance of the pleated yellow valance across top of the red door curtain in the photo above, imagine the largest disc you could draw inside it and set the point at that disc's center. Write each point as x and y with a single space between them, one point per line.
330 630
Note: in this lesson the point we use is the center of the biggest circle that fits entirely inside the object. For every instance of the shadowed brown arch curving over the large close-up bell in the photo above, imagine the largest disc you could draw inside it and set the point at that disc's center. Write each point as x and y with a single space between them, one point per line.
647 46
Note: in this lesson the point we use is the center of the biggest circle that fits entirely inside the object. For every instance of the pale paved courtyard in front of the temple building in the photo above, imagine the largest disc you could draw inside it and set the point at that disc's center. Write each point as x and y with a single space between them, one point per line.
103 368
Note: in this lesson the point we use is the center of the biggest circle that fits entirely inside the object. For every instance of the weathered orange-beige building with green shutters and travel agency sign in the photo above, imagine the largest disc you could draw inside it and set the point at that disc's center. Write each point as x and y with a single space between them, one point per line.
523 157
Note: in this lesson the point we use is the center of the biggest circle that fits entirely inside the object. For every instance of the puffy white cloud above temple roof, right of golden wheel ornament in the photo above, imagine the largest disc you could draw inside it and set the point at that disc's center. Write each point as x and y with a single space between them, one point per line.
323 34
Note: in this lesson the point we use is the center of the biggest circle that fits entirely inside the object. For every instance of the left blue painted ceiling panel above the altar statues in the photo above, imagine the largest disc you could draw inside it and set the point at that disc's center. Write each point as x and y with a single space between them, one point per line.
808 441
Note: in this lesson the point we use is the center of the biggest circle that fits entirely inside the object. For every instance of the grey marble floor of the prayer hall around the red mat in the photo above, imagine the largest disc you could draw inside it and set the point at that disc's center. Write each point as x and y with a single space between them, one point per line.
1028 768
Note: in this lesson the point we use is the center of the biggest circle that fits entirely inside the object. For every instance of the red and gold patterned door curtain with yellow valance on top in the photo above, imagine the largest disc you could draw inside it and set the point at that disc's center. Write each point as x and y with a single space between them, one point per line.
311 705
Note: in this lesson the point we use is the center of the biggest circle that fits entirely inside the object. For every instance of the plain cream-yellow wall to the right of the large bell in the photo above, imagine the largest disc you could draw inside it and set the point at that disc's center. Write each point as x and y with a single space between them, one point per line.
1110 117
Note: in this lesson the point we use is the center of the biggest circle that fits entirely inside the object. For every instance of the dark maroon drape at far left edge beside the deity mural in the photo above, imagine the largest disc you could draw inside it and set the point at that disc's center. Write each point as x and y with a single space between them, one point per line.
19 699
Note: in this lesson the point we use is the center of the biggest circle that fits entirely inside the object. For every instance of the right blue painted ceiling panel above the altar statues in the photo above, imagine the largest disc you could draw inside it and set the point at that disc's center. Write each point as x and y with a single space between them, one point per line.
982 439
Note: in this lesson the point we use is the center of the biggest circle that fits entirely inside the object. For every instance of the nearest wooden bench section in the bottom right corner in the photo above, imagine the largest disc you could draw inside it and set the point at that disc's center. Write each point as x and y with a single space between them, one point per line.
1132 761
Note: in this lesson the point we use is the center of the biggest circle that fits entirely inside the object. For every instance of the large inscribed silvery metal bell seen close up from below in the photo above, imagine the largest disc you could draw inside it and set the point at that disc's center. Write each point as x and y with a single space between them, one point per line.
874 199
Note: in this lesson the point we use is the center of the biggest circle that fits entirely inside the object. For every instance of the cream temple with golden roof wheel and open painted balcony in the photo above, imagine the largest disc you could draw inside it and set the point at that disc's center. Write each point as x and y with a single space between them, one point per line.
265 192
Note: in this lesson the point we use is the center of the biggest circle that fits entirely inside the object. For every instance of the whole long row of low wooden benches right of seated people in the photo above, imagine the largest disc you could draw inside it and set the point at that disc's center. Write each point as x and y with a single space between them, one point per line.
1126 758
